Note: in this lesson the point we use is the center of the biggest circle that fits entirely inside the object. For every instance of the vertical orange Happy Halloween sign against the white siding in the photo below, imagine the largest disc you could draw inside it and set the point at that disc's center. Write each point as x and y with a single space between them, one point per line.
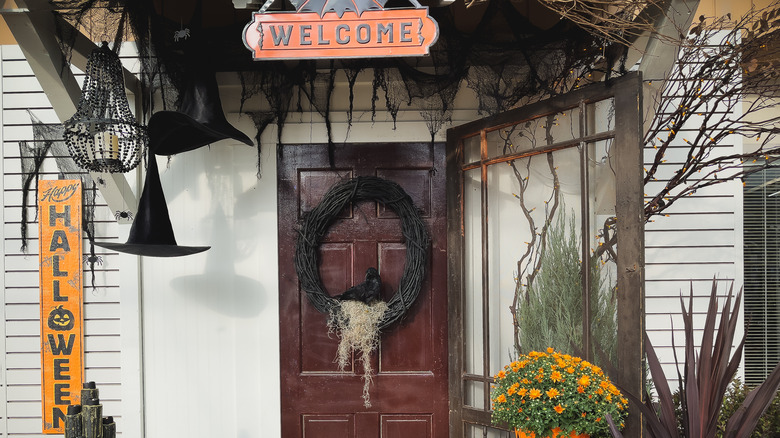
59 223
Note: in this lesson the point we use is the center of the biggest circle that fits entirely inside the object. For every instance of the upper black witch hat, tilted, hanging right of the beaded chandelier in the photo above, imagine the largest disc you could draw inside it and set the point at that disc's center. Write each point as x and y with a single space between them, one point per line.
199 121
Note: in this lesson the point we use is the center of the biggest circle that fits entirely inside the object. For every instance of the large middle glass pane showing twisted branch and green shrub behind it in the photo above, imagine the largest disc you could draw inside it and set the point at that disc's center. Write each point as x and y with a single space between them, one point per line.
534 233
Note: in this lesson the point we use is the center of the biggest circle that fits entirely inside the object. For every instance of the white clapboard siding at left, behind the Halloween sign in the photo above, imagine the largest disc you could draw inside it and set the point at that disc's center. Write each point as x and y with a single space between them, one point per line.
20 386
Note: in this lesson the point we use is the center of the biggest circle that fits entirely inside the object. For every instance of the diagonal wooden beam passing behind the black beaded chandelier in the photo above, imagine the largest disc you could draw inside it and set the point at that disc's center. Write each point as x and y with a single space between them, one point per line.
33 28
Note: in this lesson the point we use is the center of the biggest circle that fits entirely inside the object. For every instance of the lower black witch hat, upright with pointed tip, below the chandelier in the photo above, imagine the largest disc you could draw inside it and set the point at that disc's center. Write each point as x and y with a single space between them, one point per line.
152 233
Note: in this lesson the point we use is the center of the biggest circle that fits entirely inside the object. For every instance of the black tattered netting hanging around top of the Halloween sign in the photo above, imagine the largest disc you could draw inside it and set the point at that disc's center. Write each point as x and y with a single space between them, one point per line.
49 139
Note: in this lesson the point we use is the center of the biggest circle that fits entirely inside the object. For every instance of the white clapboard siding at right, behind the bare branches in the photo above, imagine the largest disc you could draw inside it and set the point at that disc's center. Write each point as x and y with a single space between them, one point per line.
699 239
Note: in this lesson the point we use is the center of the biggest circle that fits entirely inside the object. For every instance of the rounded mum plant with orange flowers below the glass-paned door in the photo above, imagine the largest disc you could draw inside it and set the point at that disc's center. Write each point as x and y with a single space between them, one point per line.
549 394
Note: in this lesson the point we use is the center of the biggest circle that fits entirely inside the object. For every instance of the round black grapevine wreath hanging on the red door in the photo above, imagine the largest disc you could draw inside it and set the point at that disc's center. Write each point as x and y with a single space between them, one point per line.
316 223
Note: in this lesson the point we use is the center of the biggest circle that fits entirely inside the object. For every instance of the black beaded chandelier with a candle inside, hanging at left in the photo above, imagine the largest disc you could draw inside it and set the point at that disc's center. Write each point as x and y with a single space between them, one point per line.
103 135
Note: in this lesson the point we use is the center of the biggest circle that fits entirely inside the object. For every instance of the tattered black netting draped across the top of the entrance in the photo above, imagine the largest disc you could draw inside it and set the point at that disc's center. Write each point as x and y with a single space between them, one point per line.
505 59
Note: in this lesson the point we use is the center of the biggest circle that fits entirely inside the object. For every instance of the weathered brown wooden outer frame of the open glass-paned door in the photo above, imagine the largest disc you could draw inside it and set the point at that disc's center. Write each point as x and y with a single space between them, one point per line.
627 92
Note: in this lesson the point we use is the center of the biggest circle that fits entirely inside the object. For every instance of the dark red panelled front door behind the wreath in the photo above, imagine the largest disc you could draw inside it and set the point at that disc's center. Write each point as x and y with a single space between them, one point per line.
409 394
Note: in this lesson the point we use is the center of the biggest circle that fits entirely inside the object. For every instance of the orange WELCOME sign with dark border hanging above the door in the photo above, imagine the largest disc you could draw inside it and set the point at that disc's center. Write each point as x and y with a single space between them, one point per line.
340 29
